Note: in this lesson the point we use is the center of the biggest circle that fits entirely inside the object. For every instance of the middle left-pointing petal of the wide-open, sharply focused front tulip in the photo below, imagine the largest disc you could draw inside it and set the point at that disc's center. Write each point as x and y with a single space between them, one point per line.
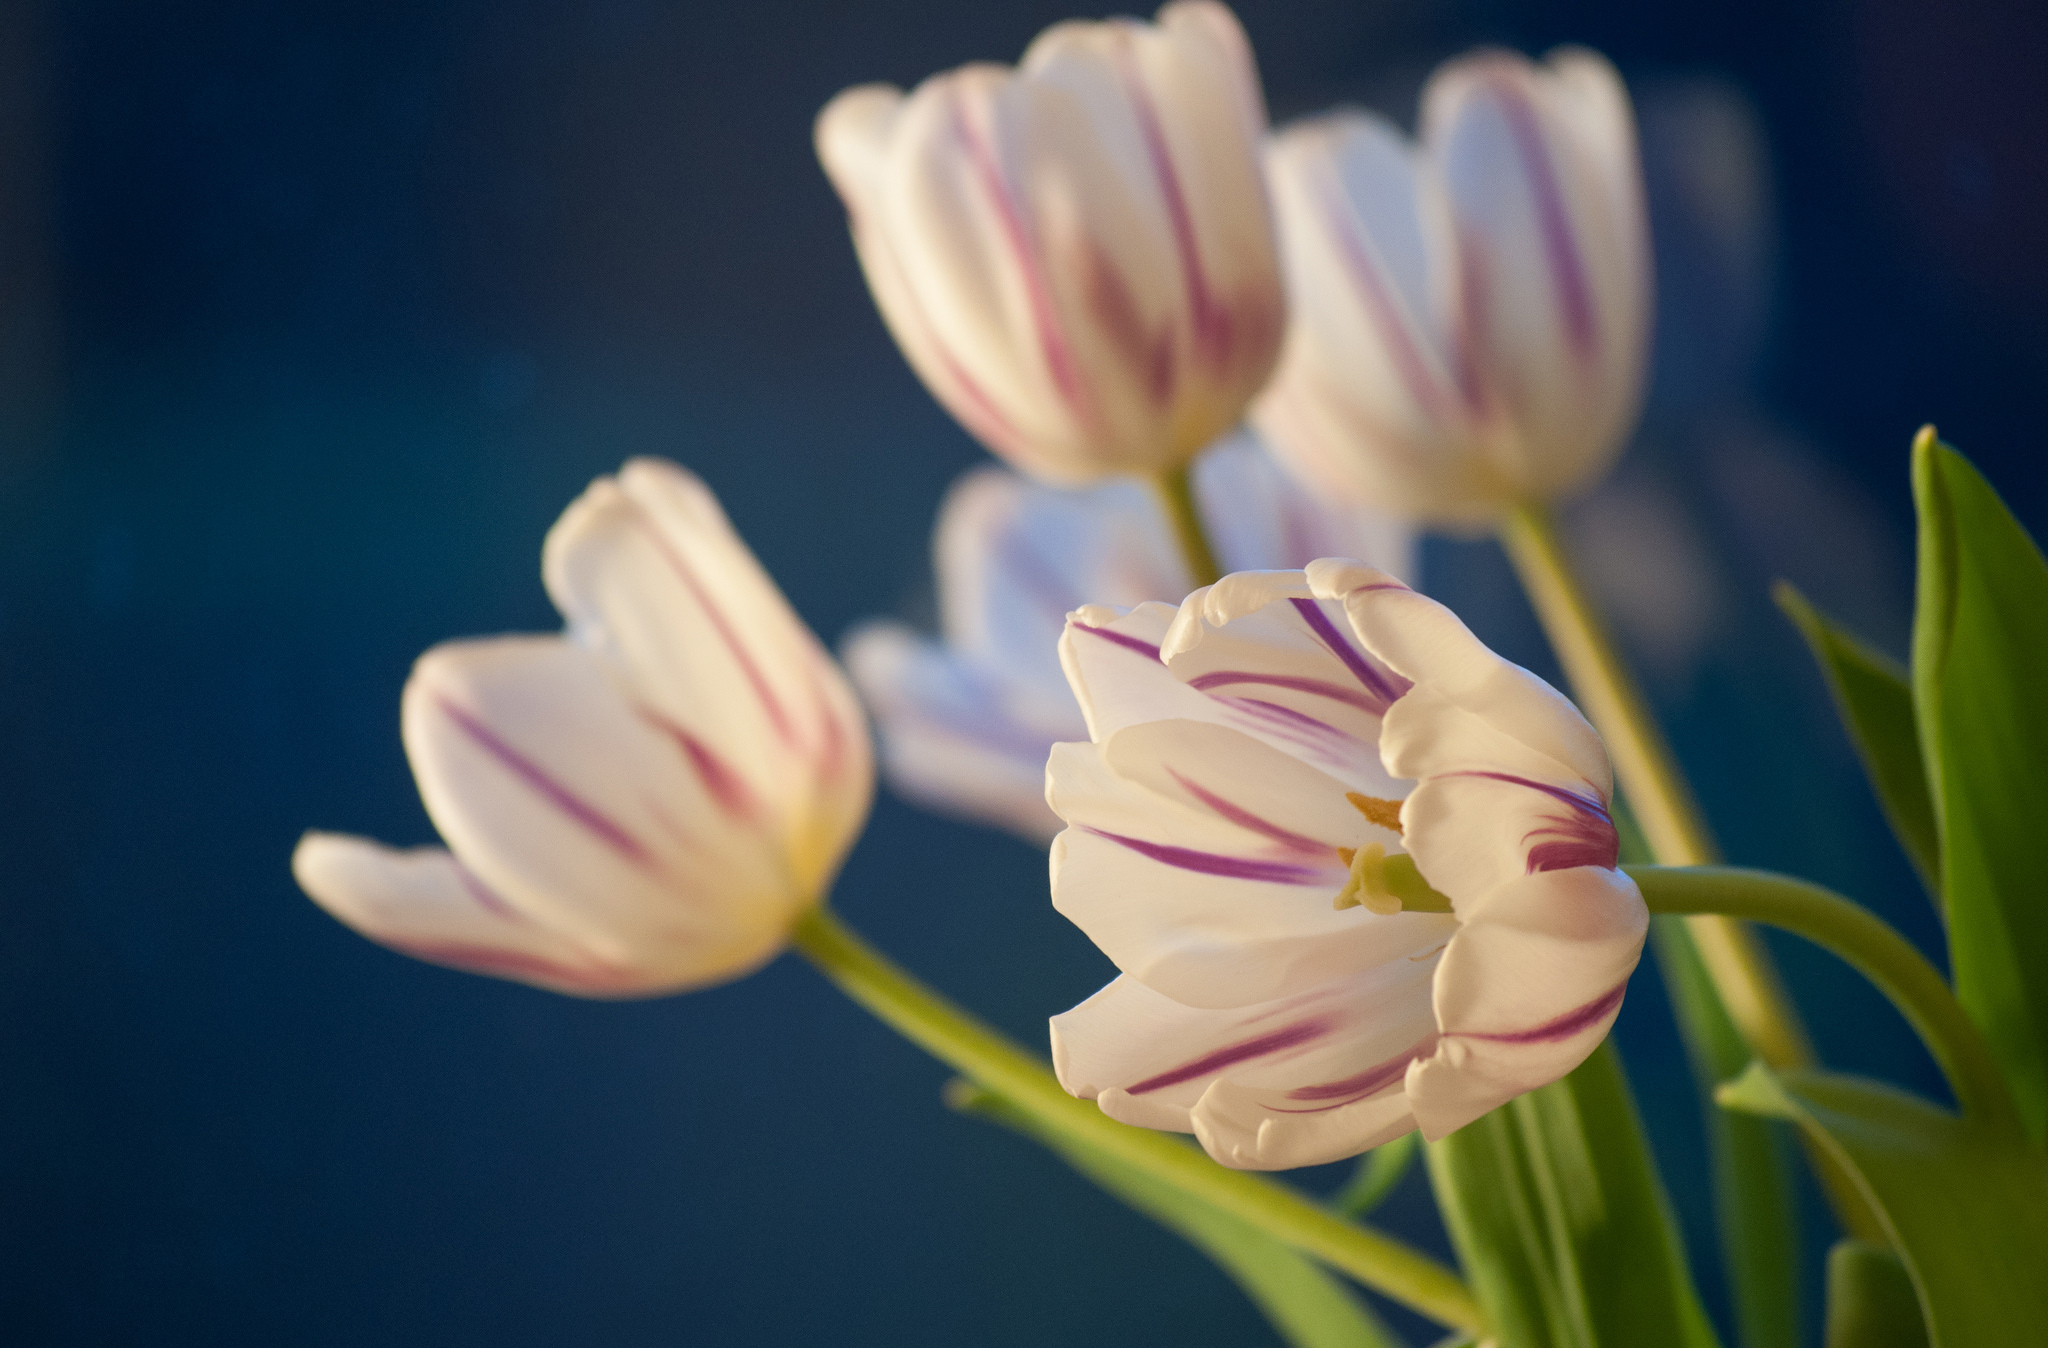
1218 833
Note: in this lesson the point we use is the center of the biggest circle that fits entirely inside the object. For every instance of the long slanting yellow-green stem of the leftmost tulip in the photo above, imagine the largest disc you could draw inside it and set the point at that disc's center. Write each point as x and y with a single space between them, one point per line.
984 1056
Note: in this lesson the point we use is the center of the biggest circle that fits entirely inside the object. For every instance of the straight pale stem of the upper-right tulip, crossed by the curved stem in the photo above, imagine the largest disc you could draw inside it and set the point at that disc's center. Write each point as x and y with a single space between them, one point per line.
1648 771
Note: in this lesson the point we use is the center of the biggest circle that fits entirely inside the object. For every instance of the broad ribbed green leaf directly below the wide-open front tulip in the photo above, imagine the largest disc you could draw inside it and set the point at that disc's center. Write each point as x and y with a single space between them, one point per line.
1562 1222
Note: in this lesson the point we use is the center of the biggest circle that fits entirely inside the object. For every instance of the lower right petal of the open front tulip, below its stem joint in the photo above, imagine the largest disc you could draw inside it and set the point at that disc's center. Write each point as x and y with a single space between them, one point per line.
1527 991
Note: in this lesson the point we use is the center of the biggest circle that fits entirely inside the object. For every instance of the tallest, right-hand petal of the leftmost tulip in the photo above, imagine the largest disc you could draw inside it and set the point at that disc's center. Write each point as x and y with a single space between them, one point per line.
648 568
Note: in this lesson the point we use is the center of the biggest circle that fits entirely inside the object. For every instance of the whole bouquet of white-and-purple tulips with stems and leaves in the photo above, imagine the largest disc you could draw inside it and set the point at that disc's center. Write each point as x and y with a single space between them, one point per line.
1369 888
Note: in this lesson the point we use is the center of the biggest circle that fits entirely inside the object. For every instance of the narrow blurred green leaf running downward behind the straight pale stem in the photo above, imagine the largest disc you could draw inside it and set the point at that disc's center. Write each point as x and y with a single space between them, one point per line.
1756 1216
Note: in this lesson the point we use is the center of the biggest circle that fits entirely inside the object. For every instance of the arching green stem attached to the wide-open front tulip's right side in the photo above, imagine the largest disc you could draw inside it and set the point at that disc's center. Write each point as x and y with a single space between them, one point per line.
1869 945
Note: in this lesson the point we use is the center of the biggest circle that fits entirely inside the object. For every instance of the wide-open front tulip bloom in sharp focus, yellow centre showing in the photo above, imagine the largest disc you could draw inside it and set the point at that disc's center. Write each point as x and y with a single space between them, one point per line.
1234 845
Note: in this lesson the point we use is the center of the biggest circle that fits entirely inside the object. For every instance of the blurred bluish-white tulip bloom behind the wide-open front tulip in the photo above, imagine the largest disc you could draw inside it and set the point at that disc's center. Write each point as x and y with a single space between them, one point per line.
968 720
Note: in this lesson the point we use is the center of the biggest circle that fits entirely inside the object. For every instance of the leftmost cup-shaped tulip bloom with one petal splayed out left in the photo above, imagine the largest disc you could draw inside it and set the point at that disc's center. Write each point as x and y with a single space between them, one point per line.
638 806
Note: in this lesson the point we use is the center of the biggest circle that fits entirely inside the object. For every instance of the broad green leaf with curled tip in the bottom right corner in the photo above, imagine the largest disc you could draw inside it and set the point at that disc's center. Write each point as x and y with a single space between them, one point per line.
1965 1206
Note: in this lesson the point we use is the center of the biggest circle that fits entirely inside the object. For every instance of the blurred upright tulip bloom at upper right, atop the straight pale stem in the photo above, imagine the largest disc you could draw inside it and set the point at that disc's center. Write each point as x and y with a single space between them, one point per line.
1469 314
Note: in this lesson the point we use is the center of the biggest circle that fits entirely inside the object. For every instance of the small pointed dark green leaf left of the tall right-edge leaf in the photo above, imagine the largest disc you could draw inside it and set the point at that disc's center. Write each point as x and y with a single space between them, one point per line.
1875 700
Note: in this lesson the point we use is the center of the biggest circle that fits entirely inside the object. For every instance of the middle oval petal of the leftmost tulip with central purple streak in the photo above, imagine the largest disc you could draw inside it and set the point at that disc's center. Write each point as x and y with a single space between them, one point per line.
593 812
